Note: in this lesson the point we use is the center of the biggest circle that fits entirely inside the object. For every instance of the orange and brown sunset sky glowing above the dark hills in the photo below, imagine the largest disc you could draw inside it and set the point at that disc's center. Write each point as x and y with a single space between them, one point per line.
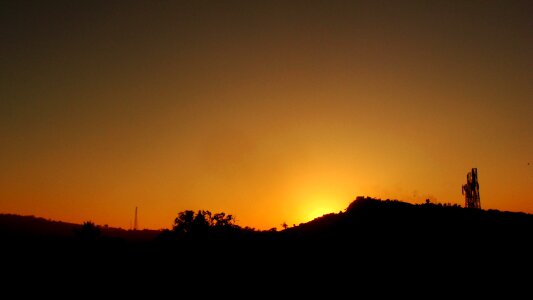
273 111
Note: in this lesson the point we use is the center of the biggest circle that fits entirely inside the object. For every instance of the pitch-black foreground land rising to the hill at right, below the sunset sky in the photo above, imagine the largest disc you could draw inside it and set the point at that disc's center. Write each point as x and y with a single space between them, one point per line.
389 244
